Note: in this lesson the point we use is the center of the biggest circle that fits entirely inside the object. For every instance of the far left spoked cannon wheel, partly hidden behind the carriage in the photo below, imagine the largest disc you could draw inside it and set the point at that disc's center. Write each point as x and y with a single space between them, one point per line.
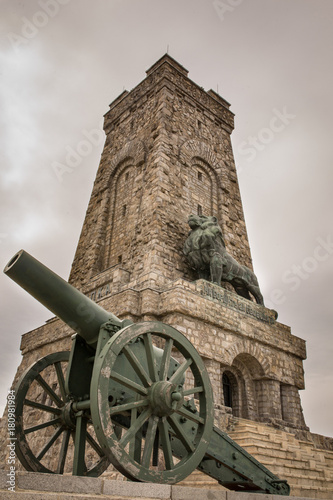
51 412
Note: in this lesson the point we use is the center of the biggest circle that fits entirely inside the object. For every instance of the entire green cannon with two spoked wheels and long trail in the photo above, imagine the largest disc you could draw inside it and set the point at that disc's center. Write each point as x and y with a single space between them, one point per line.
136 395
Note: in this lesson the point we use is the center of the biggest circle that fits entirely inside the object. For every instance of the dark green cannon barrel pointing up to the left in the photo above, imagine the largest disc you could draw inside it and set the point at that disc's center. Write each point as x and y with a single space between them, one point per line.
61 298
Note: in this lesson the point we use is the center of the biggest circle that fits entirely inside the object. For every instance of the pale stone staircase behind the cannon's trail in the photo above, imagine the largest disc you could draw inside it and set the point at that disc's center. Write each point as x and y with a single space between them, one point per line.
308 470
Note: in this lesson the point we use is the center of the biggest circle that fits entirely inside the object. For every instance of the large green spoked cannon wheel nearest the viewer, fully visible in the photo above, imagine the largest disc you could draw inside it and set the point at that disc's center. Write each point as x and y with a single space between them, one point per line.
154 428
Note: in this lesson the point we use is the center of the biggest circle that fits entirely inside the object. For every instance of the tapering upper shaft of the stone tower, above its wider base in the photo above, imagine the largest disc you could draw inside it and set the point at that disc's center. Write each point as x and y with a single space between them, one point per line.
167 154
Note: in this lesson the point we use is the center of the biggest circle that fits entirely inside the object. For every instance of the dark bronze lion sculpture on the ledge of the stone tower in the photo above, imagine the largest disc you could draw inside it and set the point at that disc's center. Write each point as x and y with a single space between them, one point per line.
206 253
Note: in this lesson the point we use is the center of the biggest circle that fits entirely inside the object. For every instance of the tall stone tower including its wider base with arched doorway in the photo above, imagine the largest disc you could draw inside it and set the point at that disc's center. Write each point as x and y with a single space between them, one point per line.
168 154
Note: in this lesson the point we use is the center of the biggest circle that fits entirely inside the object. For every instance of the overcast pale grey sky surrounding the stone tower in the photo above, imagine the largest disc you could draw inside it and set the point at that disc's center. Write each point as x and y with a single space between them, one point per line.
63 62
